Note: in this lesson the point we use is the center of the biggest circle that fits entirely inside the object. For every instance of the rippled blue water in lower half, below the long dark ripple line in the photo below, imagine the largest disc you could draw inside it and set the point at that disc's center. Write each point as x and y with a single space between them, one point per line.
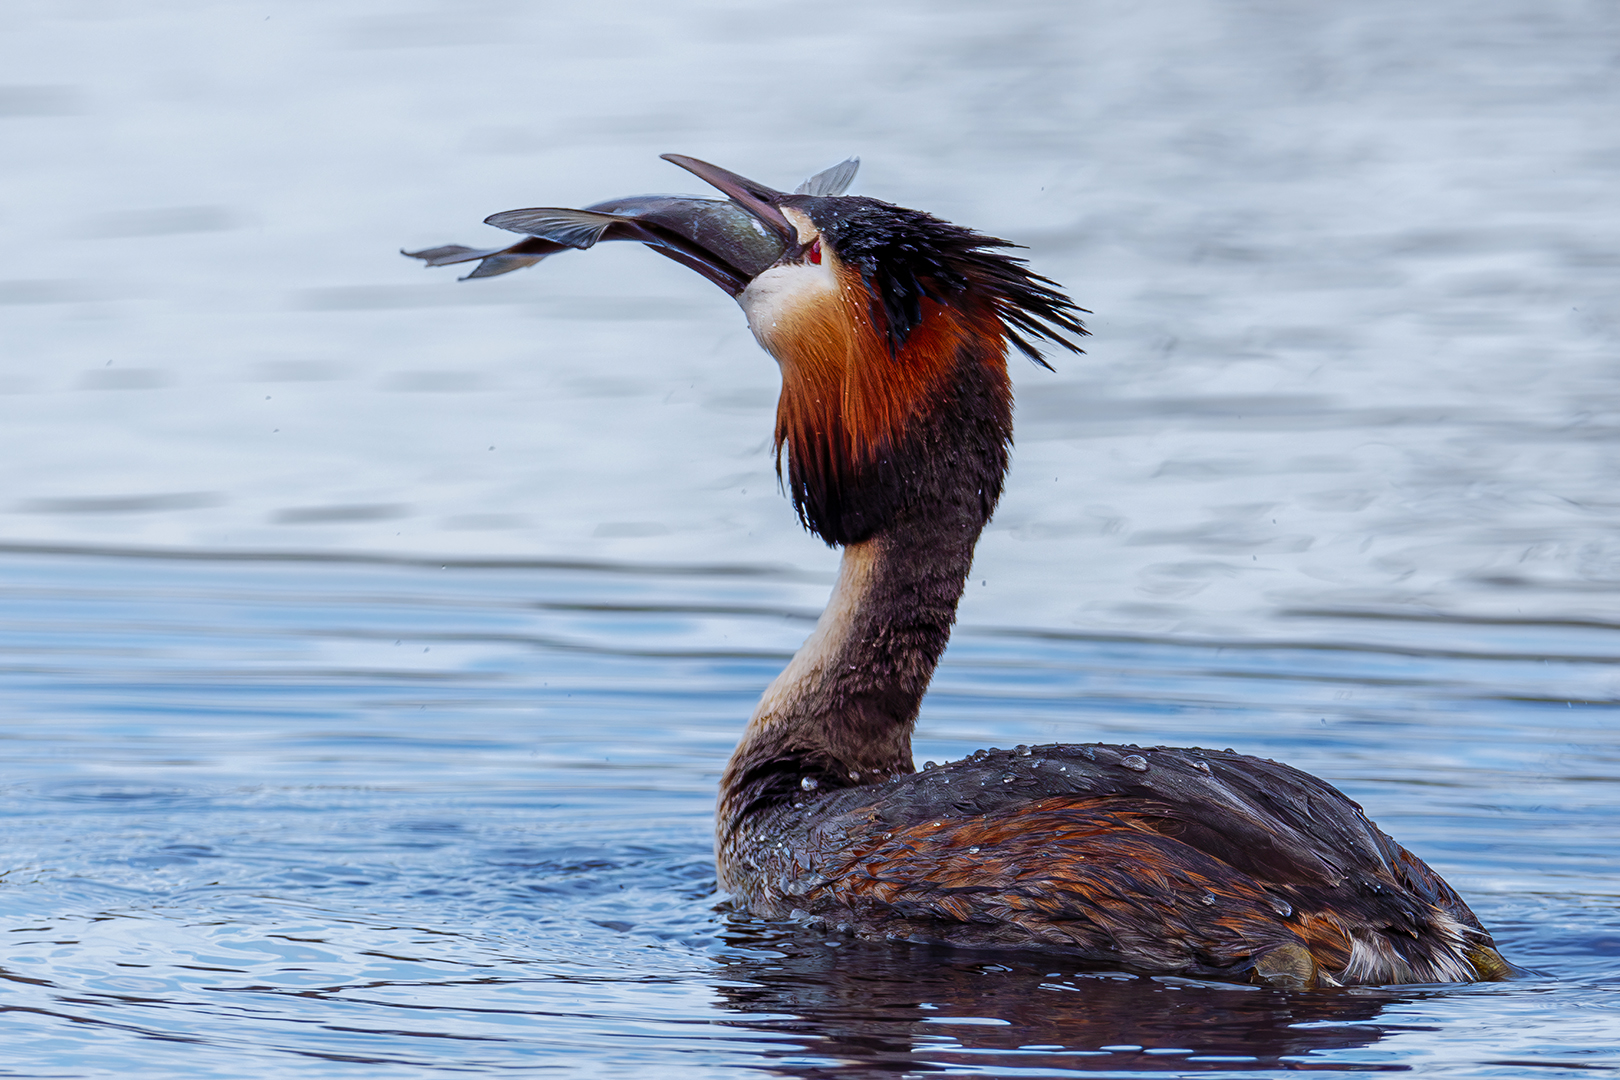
386 819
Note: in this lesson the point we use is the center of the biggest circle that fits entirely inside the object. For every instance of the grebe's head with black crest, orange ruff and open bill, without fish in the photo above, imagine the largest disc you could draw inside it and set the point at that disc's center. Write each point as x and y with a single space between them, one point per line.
880 317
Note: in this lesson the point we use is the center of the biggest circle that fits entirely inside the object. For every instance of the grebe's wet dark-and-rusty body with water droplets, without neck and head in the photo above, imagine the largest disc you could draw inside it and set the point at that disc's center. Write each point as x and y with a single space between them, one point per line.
1192 862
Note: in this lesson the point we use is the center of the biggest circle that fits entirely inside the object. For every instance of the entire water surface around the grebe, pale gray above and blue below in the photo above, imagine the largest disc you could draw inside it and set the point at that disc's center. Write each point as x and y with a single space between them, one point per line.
1336 485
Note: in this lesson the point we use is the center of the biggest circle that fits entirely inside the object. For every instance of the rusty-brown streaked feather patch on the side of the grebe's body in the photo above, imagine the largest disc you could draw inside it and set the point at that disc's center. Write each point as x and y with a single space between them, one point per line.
1062 874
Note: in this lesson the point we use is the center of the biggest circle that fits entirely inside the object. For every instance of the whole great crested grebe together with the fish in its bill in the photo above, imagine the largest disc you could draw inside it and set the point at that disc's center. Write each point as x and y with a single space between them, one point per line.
892 331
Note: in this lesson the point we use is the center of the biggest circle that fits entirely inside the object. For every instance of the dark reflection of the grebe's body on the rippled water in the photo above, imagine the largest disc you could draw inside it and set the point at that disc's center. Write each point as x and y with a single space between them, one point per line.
890 1010
